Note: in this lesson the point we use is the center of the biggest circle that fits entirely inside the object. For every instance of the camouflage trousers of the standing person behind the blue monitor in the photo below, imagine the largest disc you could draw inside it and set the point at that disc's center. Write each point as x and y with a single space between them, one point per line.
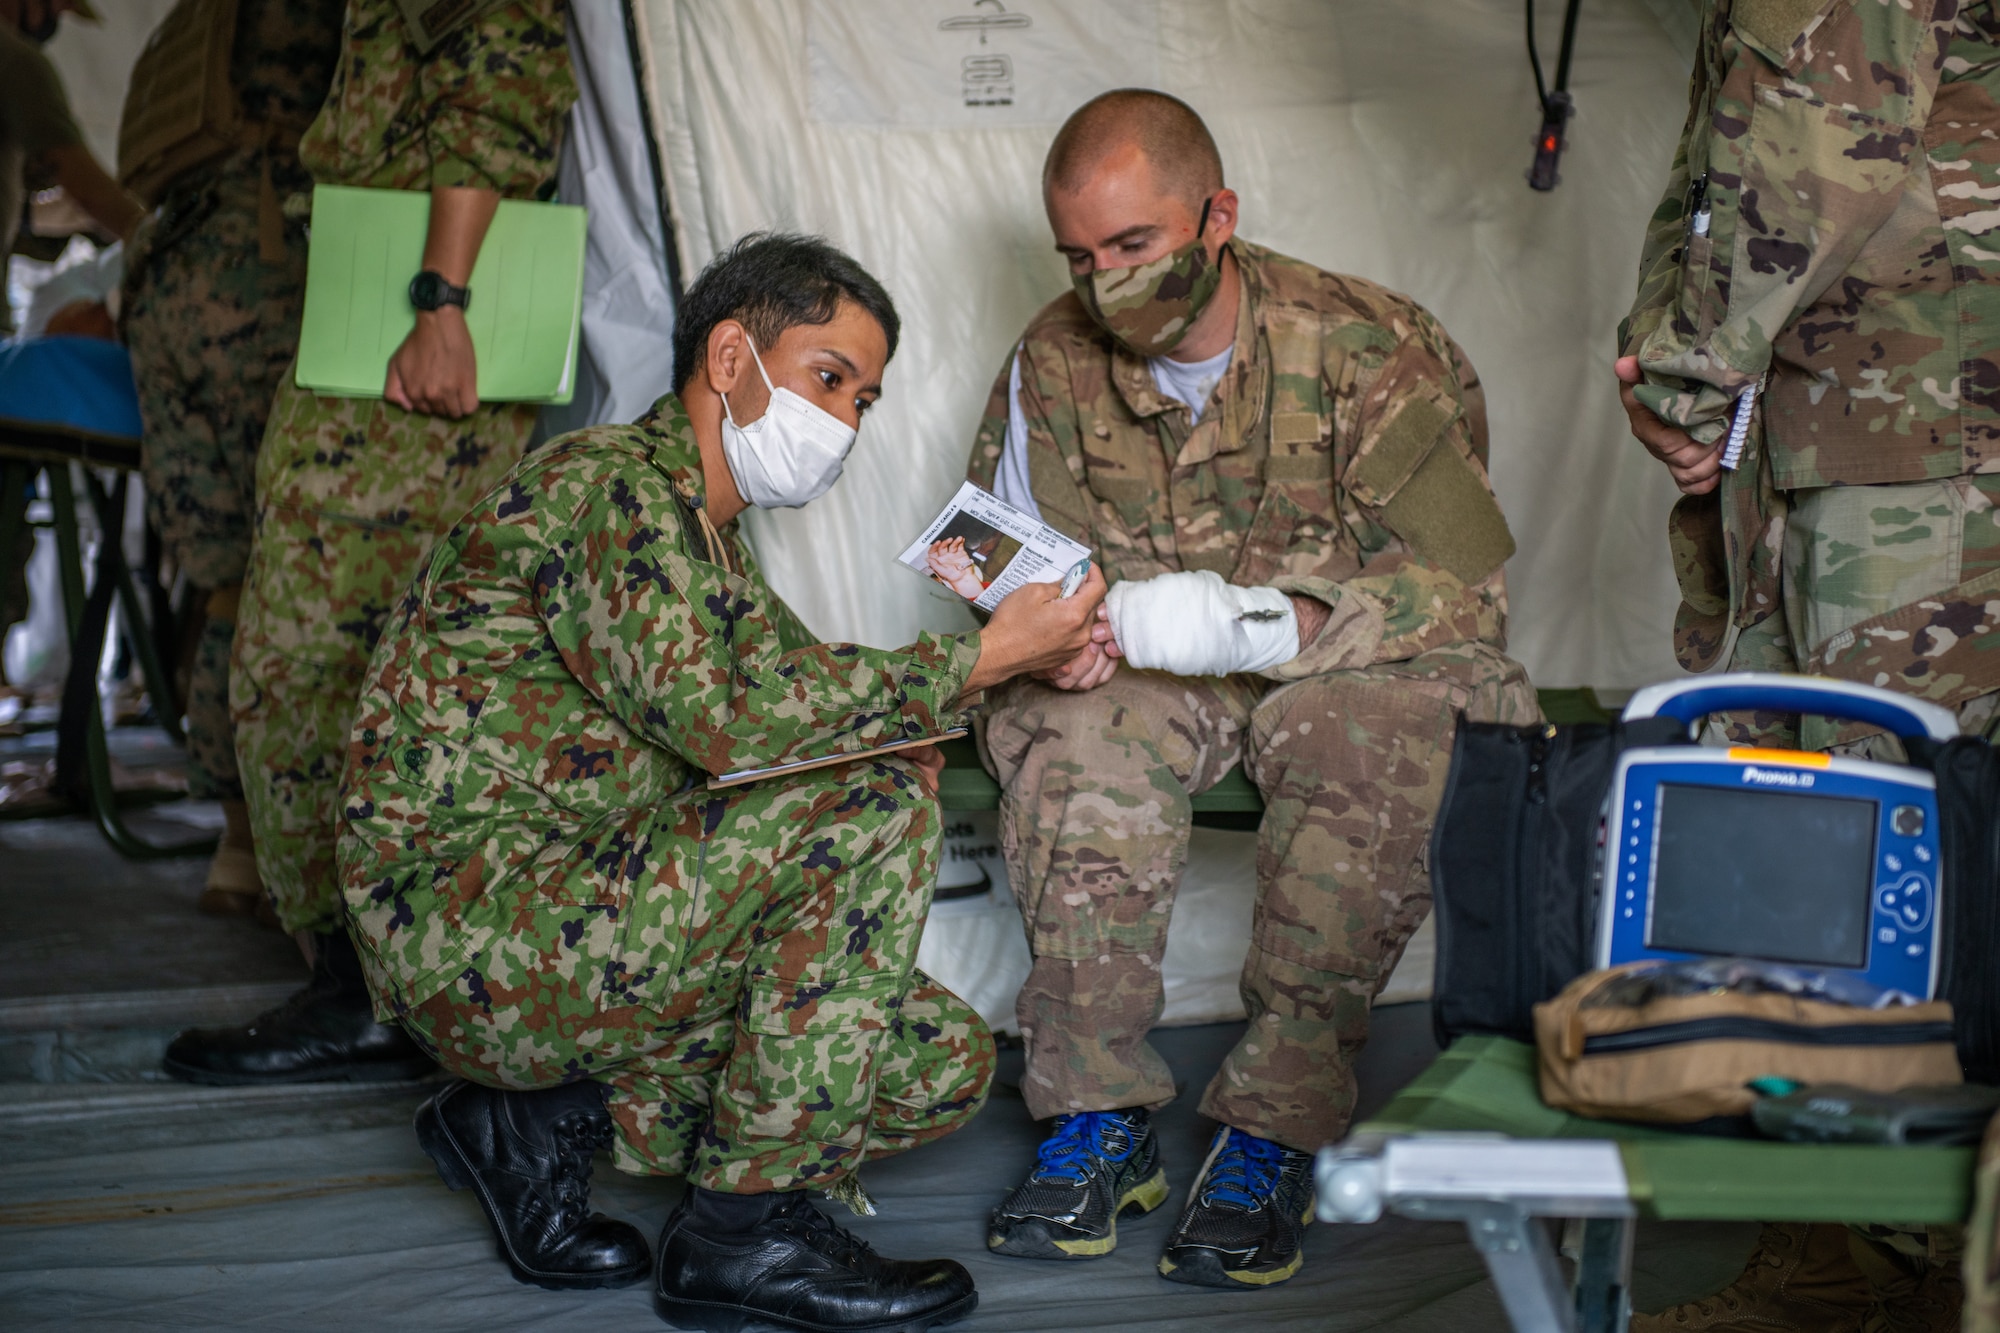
1859 555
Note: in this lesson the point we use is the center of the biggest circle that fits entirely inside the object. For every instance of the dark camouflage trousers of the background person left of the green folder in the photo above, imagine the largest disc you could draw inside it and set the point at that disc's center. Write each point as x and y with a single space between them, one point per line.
213 331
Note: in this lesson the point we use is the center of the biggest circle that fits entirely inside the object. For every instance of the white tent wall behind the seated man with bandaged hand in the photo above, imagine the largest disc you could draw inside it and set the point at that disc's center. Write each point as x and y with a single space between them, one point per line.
1377 139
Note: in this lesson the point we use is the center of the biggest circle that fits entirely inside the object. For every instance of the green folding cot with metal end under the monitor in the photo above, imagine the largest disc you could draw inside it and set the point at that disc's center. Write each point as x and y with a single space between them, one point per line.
1473 1142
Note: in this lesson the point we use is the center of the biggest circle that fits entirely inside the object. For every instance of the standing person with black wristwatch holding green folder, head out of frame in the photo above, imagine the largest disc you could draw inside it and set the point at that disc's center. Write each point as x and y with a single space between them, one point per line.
353 491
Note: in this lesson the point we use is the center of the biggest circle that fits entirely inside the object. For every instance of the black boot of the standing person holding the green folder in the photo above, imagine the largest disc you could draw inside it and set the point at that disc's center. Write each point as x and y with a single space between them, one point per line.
321 1034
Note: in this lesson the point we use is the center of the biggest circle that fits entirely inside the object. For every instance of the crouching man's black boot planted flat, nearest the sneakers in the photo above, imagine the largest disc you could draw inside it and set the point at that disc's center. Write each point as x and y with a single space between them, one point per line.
735 1262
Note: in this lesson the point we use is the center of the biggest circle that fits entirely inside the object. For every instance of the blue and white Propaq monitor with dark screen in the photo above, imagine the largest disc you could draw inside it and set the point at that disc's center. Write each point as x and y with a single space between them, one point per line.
1785 856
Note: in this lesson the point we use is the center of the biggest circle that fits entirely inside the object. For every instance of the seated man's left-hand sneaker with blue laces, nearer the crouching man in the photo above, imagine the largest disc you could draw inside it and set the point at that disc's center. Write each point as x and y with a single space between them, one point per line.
1091 1170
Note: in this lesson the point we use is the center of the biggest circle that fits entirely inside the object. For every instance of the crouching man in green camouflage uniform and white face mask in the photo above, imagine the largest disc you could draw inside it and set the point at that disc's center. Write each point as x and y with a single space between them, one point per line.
559 910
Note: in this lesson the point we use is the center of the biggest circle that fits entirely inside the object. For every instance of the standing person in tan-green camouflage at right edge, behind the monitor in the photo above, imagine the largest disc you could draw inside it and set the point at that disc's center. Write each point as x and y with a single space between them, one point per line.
1825 273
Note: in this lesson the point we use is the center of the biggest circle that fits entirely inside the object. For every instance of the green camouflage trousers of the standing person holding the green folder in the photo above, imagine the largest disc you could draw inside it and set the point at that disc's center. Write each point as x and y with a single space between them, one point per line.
349 497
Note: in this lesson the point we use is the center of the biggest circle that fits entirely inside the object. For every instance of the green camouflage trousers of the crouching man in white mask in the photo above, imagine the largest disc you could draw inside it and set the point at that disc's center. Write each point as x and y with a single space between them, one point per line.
737 968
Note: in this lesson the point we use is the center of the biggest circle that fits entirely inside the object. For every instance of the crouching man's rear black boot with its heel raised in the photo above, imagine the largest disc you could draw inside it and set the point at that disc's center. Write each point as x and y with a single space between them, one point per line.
527 1156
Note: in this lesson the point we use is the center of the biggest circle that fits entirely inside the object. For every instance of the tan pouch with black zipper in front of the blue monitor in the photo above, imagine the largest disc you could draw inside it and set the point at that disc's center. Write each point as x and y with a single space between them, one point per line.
1689 1058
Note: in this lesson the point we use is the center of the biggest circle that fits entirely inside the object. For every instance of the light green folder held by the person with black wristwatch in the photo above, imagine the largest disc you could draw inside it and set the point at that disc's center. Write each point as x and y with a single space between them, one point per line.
527 295
